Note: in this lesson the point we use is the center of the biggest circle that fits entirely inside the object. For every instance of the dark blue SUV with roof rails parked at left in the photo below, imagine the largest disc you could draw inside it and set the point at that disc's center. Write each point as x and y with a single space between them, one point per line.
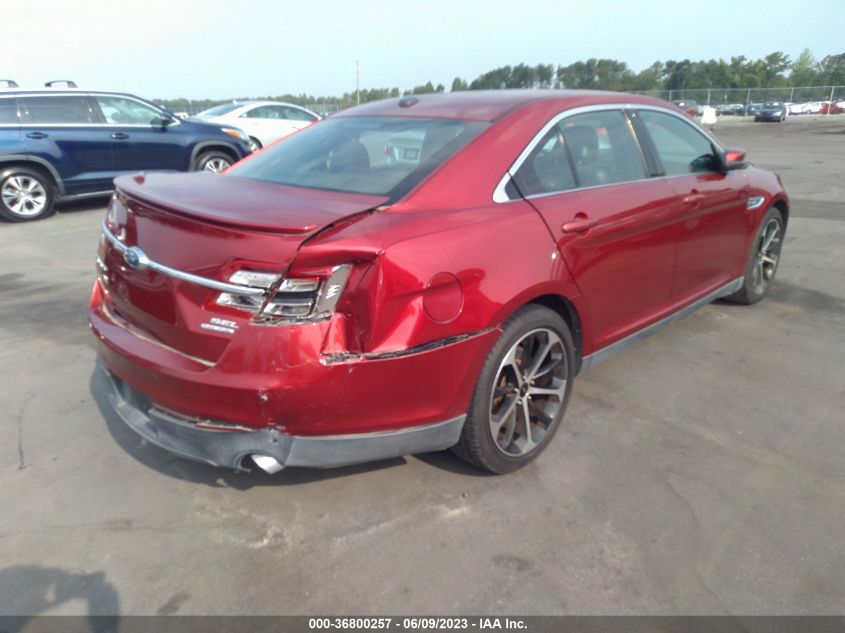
64 144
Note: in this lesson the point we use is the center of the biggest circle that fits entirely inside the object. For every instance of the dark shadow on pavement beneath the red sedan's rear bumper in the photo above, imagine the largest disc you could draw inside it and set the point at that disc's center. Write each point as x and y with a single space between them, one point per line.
172 465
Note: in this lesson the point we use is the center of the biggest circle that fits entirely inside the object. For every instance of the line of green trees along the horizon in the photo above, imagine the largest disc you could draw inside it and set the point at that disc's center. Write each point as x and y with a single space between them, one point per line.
775 70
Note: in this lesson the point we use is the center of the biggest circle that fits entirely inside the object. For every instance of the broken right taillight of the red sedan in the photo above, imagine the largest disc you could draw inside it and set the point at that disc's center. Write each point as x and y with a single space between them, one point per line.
302 297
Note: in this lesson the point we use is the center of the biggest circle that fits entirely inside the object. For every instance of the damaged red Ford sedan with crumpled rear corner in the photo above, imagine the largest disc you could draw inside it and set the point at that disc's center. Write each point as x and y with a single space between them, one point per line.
326 306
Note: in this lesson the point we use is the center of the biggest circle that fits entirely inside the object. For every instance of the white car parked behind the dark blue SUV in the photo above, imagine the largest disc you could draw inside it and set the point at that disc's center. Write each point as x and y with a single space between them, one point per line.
263 121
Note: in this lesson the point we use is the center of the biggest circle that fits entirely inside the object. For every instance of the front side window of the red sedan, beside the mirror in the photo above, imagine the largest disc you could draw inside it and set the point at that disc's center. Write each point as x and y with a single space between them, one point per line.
682 149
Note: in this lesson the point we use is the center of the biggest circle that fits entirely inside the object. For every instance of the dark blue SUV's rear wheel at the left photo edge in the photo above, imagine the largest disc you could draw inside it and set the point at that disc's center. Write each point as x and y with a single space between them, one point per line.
26 194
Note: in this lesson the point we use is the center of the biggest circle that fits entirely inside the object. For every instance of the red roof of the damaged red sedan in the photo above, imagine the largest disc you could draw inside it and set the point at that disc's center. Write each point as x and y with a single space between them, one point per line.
488 105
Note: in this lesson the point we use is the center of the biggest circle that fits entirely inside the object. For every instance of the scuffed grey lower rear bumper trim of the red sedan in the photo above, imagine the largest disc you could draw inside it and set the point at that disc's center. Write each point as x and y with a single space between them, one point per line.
229 448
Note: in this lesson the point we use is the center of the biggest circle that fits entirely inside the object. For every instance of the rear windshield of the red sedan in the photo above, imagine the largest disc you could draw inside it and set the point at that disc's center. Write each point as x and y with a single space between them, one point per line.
384 156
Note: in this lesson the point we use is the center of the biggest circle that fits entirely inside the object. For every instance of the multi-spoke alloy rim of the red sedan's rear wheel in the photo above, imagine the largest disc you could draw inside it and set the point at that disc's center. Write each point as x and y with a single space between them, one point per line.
528 392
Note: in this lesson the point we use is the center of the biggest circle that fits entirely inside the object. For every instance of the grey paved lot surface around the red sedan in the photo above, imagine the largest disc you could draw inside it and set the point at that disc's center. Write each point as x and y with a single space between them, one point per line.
700 472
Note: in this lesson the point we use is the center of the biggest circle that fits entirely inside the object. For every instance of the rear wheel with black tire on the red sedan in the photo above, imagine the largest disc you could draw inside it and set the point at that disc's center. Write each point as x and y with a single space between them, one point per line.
493 394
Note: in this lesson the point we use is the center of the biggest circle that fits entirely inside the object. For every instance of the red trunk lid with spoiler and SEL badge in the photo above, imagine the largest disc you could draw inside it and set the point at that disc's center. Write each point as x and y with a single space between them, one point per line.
210 226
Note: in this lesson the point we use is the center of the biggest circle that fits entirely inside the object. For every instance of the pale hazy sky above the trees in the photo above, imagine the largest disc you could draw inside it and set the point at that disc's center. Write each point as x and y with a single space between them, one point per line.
226 48
